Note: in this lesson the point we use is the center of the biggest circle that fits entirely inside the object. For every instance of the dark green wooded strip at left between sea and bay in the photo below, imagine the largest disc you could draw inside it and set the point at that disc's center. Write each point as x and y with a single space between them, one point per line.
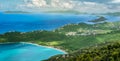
32 36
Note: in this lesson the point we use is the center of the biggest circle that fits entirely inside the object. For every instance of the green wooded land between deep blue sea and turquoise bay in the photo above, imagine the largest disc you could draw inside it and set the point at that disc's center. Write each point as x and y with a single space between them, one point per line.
69 37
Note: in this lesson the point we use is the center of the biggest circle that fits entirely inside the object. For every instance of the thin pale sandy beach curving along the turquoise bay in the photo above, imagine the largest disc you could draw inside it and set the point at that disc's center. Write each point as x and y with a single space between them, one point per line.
37 45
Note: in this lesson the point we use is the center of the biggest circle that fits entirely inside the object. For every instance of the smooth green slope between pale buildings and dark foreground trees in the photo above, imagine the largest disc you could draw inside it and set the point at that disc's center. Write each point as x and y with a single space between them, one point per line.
76 42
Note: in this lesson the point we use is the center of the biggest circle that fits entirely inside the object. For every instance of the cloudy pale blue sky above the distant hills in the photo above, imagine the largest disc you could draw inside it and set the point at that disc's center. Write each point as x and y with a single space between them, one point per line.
88 6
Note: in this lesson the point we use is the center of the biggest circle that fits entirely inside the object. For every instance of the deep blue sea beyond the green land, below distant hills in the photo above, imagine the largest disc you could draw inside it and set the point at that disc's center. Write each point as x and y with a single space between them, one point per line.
42 21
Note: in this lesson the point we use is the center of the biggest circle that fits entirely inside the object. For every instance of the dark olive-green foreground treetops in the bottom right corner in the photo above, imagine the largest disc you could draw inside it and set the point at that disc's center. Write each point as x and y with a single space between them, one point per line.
102 52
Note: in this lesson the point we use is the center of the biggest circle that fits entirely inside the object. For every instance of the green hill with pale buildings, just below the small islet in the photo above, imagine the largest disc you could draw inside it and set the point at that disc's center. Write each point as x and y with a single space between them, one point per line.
88 29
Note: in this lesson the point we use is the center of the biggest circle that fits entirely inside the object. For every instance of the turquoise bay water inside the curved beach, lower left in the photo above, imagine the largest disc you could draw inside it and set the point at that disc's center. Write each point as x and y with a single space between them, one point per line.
26 52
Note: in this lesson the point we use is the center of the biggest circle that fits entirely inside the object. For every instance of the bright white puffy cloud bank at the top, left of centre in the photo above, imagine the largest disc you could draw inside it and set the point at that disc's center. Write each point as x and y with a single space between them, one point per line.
47 4
